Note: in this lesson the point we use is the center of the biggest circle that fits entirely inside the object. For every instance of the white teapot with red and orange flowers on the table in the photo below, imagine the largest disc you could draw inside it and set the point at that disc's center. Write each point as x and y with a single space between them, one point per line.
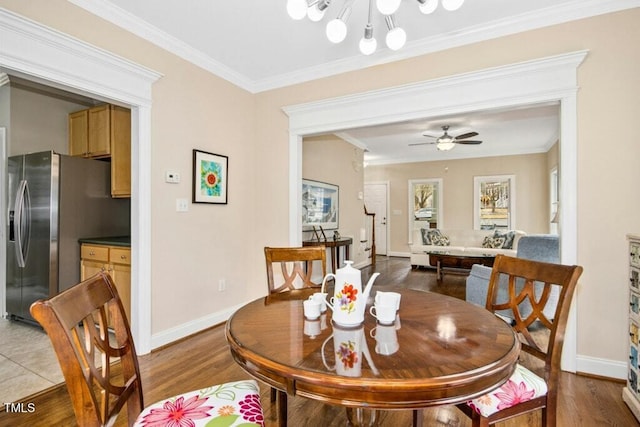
349 300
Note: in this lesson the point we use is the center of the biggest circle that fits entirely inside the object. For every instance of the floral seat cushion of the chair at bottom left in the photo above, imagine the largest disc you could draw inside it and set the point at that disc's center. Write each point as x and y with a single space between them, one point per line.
230 404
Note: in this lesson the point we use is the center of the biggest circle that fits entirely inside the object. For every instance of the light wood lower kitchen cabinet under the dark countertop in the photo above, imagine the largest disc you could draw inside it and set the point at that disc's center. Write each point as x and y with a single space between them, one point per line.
115 260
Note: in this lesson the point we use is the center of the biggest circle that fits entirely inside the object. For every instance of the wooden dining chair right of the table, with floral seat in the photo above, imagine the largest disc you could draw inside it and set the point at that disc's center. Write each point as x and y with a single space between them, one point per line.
541 338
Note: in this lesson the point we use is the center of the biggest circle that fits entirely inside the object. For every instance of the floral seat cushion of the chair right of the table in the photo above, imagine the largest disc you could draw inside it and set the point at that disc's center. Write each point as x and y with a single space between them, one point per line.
523 385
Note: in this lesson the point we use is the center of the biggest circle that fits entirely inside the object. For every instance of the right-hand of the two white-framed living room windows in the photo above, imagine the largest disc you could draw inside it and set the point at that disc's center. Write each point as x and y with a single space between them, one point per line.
494 202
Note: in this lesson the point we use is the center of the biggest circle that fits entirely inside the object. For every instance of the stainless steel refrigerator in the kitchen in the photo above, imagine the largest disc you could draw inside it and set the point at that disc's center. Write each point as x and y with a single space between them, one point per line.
54 200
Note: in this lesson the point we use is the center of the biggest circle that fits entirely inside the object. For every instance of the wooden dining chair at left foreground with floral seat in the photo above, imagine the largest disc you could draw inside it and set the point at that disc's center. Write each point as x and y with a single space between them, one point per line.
91 337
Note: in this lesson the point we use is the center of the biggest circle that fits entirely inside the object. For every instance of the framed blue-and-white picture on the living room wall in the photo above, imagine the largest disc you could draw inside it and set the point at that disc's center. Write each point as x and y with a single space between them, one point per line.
320 205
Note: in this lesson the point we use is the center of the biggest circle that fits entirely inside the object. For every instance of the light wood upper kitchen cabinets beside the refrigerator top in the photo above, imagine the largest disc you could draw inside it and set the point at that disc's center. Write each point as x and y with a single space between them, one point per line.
104 132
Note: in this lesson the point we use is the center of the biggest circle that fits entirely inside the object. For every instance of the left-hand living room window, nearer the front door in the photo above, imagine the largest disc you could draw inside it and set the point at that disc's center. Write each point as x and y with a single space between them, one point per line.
425 204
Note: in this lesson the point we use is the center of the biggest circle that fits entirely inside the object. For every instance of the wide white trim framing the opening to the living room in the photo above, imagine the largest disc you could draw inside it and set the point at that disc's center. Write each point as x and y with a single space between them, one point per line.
550 79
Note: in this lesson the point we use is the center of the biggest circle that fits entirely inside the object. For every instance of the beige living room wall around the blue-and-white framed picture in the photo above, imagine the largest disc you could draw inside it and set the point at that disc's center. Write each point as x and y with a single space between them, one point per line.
330 159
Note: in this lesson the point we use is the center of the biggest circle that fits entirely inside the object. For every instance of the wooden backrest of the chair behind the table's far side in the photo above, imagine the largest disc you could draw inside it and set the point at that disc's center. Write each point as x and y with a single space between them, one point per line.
294 267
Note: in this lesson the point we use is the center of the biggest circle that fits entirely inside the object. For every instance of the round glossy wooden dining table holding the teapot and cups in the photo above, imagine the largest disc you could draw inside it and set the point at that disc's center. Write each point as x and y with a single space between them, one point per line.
440 350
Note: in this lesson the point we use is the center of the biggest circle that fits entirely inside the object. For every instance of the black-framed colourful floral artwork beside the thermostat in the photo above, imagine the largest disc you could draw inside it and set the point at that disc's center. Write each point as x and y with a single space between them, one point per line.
210 177
